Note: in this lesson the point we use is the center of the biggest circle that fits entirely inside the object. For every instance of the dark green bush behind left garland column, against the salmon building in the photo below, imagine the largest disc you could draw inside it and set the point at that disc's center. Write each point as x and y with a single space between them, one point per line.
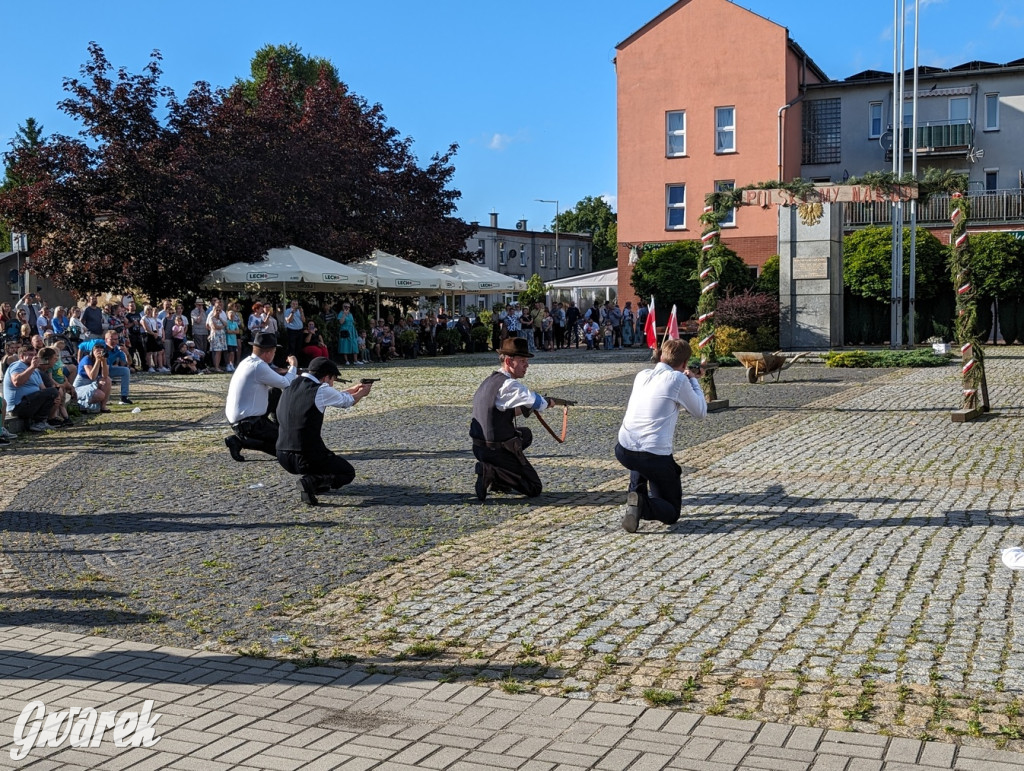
670 276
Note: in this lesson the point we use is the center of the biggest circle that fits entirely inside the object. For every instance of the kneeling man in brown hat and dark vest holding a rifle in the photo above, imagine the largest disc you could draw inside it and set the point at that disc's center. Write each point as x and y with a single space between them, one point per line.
498 443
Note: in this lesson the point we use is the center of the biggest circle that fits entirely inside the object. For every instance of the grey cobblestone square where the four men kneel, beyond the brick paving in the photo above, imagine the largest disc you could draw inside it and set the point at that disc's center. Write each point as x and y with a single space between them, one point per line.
837 565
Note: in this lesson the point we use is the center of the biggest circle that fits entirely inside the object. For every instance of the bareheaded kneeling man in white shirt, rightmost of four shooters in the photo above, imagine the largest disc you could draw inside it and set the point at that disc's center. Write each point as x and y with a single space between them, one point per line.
646 438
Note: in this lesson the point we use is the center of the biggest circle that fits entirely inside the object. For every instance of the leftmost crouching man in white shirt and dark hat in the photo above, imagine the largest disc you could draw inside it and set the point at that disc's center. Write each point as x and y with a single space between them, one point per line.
252 399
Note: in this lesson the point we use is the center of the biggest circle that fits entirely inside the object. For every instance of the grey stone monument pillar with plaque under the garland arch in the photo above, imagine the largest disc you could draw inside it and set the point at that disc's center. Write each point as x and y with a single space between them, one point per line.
810 280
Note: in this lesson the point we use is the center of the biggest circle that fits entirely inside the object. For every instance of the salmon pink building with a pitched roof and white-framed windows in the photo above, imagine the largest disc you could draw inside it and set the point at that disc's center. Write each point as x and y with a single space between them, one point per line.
709 97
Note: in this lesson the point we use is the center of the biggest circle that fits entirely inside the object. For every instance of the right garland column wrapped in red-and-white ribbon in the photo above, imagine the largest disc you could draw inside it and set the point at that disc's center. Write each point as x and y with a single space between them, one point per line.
972 353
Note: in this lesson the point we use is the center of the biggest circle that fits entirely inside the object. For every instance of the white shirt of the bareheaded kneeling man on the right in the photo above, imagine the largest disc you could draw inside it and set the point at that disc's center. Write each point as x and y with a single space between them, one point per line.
654 409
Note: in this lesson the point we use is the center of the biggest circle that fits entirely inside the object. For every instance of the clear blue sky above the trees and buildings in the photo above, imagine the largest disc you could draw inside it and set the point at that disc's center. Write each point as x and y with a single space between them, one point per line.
527 90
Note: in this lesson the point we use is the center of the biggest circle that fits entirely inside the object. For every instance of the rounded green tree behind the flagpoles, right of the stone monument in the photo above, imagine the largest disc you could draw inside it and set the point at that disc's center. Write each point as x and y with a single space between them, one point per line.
868 265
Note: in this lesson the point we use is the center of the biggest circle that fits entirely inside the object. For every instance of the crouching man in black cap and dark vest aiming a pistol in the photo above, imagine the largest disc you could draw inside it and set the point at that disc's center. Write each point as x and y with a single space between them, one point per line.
301 413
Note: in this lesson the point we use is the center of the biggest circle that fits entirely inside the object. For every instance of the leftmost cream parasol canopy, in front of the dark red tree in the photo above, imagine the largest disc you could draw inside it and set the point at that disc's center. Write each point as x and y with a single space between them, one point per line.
293 268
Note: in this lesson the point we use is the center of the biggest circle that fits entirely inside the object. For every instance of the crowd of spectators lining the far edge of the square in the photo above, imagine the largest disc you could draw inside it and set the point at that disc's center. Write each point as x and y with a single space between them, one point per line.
55 357
